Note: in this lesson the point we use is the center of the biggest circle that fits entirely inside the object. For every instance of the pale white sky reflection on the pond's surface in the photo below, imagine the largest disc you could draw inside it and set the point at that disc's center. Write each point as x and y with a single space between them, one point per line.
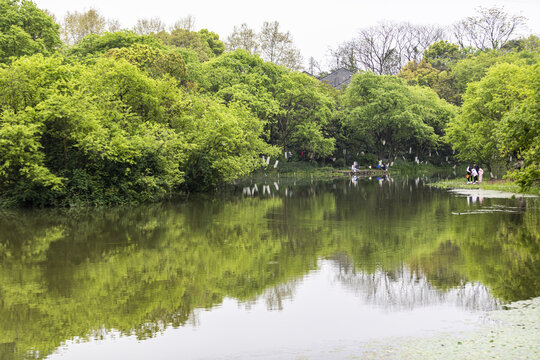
328 311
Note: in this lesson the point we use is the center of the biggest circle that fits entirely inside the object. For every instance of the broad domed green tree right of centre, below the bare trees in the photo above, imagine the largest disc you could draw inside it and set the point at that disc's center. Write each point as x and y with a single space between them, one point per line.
391 117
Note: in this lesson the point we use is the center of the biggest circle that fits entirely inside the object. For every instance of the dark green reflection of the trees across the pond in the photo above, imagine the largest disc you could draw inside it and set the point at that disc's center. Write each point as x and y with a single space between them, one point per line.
67 274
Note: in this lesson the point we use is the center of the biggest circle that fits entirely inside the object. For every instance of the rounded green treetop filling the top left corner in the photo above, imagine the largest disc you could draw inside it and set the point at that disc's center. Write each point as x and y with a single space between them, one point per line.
25 30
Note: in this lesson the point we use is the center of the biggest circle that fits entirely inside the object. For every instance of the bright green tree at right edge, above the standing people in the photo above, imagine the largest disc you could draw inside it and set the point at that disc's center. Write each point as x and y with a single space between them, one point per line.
492 109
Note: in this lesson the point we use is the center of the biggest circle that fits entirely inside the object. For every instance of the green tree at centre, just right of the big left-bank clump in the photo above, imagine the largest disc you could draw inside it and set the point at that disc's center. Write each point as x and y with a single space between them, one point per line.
294 106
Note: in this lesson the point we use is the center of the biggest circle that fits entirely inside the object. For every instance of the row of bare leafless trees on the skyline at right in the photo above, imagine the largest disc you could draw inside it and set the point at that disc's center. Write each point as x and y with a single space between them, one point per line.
385 48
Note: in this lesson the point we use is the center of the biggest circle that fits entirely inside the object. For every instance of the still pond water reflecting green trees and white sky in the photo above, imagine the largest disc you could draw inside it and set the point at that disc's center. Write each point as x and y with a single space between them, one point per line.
279 269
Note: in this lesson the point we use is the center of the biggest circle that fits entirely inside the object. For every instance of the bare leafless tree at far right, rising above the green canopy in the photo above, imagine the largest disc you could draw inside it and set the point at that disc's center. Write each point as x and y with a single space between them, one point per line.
491 28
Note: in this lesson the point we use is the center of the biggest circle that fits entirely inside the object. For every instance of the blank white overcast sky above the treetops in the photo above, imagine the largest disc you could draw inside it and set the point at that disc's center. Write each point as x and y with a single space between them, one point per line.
315 25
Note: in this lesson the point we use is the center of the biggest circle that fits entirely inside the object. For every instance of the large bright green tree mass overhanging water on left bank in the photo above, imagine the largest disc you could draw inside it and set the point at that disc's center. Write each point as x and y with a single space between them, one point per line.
121 129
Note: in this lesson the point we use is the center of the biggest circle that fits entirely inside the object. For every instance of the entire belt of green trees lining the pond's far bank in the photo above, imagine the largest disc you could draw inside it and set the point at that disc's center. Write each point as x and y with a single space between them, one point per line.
90 116
